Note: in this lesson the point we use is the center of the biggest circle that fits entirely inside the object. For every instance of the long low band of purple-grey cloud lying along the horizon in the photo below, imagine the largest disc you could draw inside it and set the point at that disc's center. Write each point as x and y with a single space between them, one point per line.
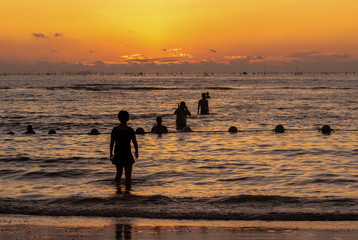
171 64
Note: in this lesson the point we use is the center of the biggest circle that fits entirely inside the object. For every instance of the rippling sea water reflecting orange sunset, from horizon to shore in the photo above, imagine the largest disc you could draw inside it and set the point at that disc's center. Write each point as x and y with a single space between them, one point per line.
209 173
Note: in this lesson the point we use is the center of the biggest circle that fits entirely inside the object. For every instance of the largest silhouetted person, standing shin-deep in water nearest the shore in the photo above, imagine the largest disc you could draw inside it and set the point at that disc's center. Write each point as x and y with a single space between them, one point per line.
121 138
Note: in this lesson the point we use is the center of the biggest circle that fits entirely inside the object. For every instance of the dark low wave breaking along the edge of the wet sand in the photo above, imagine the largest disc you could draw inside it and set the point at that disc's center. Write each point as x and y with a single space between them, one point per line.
241 207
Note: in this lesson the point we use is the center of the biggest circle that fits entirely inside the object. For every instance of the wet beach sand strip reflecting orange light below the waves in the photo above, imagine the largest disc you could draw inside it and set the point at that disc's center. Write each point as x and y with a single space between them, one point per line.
42 227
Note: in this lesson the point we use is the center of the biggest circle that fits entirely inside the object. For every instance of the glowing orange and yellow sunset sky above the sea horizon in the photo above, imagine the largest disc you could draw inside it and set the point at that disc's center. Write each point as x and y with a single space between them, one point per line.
225 34
